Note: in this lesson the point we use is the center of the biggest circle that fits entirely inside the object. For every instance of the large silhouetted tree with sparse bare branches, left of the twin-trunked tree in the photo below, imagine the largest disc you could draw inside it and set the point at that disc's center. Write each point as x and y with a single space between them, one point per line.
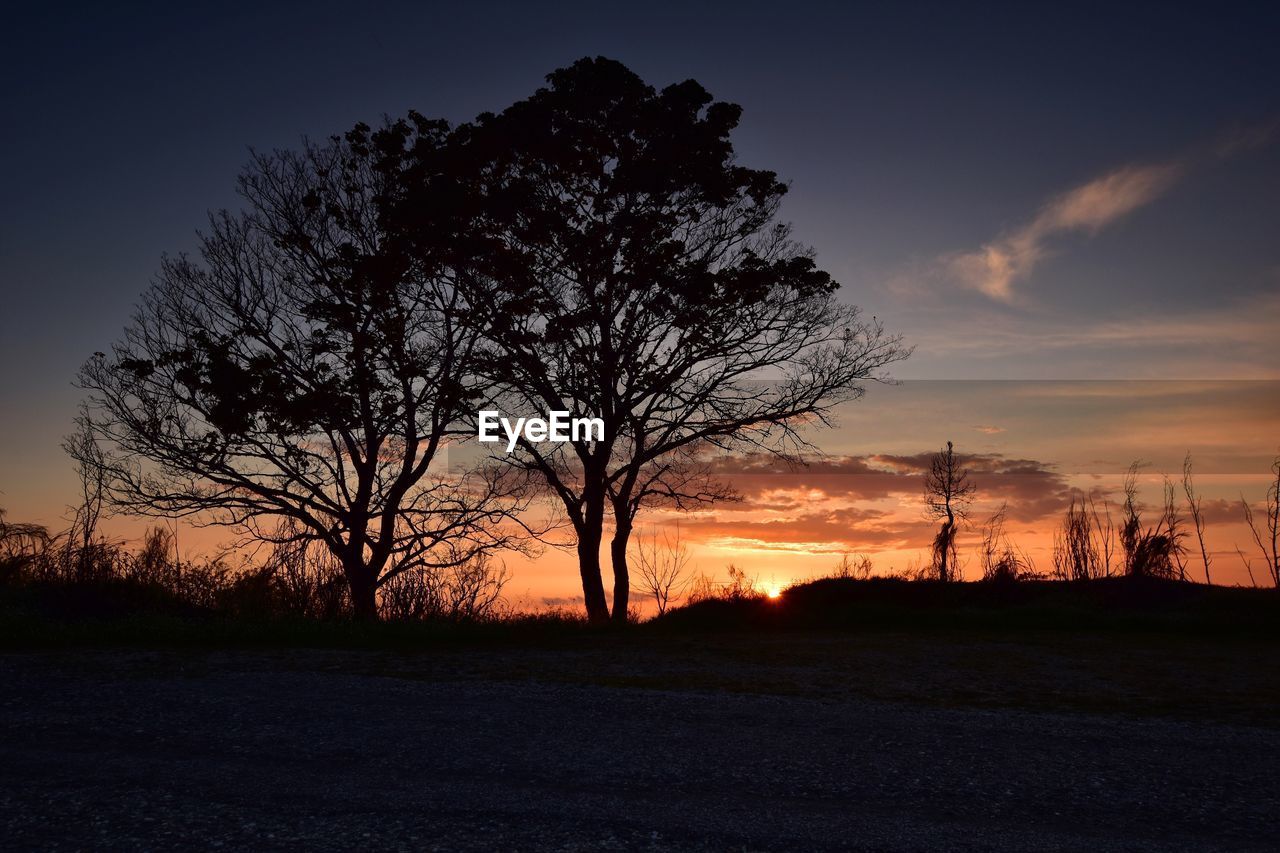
303 368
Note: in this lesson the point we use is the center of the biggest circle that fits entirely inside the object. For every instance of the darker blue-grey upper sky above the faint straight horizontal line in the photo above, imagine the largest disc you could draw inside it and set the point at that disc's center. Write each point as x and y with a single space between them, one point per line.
917 136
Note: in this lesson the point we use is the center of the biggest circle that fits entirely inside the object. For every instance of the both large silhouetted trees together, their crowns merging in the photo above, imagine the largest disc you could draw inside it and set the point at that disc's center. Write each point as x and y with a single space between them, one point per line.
593 249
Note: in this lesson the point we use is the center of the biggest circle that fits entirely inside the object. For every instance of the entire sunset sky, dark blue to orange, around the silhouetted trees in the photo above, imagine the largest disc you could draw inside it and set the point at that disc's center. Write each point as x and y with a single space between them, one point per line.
1072 213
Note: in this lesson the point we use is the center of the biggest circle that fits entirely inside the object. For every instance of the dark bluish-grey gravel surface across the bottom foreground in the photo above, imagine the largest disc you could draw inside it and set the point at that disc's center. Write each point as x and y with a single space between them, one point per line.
158 751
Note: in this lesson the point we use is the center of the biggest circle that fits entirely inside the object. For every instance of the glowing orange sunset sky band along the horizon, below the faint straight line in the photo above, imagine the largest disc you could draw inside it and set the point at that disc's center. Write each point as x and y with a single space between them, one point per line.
1031 445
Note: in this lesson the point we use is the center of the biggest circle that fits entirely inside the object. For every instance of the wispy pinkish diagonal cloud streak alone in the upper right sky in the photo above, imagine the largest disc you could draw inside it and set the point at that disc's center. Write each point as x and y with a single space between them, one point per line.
1090 208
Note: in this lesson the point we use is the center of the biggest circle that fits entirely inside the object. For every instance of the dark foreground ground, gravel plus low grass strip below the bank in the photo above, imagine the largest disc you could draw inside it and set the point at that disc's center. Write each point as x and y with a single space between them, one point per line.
725 742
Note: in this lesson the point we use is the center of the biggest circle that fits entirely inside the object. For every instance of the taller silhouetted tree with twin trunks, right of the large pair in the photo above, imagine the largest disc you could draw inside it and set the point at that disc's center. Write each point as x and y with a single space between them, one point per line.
633 271
